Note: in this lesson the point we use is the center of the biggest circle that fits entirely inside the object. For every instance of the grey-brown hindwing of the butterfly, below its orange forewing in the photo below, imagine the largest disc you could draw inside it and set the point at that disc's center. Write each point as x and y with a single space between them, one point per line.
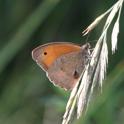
66 70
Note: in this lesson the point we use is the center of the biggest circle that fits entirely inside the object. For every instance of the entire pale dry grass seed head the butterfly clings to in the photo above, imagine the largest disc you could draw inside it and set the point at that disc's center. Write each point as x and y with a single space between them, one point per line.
95 71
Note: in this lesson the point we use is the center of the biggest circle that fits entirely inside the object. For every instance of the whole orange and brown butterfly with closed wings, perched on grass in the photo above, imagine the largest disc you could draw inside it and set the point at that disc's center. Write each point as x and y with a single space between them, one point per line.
62 61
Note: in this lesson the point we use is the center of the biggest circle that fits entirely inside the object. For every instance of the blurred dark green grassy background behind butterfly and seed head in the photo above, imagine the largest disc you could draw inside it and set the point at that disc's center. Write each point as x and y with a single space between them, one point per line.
26 95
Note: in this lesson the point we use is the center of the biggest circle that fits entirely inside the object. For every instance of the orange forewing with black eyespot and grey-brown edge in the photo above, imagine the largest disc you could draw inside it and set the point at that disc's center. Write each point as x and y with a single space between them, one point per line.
46 54
